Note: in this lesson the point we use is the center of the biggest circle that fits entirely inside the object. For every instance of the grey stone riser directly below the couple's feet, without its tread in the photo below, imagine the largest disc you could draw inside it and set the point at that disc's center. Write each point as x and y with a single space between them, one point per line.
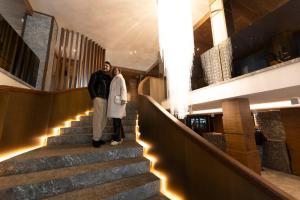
35 165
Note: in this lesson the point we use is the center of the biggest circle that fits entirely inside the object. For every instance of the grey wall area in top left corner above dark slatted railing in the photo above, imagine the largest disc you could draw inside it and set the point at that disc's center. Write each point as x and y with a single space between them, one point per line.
13 11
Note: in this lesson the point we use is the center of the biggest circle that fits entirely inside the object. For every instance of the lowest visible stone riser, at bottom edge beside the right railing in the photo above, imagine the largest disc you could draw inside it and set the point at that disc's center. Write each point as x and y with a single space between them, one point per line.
139 193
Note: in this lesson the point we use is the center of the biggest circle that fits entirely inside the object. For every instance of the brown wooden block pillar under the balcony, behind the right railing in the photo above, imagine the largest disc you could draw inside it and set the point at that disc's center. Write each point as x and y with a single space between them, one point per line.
239 133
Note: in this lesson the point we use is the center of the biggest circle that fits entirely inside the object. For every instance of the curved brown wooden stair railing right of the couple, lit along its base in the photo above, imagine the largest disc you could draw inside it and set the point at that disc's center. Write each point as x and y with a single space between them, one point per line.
197 169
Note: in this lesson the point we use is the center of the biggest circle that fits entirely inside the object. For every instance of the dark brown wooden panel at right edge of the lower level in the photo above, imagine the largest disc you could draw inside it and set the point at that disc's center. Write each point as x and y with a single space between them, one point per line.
291 122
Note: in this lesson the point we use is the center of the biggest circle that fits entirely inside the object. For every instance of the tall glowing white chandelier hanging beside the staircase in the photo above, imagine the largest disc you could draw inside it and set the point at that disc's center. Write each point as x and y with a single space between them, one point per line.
176 41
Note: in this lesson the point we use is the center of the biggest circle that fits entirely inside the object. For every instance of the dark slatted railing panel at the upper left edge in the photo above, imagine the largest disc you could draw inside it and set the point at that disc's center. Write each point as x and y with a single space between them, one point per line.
15 55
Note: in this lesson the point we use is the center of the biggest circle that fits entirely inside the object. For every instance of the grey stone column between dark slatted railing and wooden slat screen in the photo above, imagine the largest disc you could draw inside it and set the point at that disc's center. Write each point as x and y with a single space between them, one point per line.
40 33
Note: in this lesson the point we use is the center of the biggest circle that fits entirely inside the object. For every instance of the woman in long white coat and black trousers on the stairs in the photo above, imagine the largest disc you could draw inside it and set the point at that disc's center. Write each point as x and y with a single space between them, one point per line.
116 108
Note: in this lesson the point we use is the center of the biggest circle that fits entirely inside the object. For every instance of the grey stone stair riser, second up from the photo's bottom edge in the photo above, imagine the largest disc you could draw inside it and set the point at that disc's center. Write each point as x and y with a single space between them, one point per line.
66 184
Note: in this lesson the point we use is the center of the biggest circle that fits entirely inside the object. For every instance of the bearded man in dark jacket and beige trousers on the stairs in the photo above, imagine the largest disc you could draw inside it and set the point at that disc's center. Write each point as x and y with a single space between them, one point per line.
99 85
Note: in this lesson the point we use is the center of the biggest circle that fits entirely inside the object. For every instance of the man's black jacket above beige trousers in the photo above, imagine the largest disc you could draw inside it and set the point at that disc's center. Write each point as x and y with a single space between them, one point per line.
99 85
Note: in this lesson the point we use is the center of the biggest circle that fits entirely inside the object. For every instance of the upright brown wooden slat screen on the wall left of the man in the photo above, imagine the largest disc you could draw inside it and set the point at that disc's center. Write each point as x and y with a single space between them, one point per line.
76 59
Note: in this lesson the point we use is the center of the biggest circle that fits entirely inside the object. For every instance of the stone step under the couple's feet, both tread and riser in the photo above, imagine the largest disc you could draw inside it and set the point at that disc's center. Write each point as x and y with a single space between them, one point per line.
68 156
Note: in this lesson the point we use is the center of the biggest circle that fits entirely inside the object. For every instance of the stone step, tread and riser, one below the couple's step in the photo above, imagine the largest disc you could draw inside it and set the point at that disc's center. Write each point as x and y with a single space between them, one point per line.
49 183
